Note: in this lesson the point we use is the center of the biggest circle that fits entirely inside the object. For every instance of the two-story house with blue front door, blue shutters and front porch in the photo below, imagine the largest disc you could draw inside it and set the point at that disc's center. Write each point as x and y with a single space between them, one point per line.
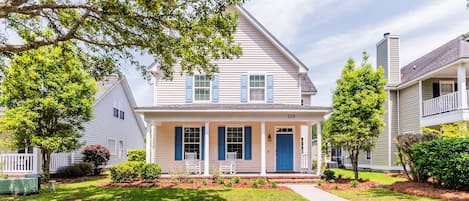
258 106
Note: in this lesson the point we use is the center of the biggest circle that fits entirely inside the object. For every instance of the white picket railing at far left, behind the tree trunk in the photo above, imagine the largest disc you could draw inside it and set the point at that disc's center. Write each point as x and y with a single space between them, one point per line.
31 163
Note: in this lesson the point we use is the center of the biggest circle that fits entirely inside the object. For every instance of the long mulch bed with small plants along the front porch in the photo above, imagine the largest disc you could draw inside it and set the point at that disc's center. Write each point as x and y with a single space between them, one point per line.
195 185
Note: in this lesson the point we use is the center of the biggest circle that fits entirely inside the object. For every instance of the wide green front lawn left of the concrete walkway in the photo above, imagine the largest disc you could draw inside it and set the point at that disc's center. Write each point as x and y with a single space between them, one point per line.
88 191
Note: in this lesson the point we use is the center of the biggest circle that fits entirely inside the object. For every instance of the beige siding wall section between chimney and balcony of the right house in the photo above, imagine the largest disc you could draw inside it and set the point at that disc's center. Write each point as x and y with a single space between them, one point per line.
409 109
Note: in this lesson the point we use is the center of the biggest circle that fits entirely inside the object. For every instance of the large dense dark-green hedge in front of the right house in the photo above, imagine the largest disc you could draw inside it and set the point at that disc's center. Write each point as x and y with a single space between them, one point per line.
445 160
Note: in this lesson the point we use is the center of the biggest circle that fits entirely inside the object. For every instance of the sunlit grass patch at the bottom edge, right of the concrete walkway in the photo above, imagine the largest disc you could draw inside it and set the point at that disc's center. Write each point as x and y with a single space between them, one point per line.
378 194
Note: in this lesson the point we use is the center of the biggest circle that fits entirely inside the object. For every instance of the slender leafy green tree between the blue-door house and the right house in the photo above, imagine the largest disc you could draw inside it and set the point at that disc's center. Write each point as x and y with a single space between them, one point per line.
357 109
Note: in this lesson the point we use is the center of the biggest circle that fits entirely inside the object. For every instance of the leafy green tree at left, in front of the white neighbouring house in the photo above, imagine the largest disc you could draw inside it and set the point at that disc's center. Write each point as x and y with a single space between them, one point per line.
48 96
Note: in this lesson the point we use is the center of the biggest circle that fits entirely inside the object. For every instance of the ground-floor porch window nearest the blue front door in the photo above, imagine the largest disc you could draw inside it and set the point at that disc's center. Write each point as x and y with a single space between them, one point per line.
234 141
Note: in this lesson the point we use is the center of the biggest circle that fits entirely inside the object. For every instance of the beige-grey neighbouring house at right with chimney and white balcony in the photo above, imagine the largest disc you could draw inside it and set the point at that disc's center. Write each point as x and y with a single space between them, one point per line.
428 92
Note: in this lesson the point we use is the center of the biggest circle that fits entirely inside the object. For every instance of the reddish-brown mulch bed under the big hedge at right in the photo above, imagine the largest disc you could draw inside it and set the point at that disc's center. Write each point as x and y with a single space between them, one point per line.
428 190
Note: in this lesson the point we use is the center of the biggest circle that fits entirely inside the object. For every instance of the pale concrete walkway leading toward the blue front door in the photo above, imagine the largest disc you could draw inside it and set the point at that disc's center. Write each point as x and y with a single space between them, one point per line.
312 193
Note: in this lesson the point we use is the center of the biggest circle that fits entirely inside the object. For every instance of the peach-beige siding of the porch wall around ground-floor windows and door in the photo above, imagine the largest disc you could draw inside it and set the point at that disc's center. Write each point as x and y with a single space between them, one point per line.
165 146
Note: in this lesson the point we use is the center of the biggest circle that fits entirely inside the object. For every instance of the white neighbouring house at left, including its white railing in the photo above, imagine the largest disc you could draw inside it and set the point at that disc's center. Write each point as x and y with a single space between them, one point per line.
115 125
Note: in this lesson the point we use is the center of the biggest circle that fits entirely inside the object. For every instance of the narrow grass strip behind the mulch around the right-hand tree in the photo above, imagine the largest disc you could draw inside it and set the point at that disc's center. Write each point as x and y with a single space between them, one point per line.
377 177
